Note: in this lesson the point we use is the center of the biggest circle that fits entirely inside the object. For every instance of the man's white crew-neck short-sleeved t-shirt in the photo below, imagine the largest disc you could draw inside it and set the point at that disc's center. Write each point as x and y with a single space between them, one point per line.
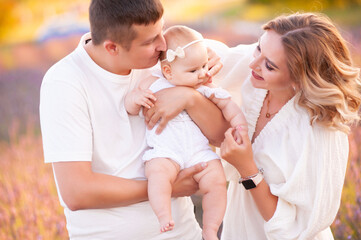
83 118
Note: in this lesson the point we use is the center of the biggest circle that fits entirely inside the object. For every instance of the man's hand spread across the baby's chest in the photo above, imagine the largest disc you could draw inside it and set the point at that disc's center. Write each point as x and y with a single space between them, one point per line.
170 102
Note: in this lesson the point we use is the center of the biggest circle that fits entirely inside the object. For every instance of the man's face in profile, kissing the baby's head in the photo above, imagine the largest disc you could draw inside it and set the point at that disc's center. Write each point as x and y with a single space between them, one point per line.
146 47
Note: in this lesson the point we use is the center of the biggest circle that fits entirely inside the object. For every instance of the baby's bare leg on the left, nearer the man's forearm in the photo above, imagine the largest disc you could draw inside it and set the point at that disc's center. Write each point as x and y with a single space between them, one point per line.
161 173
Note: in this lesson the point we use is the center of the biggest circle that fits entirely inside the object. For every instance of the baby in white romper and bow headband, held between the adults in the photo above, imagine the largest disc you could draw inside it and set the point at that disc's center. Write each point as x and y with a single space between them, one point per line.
182 144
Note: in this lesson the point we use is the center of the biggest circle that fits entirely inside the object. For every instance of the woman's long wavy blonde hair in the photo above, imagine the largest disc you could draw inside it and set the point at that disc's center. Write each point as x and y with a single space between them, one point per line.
321 67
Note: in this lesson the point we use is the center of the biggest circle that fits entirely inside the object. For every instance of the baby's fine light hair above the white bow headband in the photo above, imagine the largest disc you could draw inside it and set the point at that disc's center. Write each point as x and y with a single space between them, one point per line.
178 36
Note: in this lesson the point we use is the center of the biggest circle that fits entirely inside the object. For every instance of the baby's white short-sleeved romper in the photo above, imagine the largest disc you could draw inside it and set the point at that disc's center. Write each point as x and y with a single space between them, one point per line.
181 140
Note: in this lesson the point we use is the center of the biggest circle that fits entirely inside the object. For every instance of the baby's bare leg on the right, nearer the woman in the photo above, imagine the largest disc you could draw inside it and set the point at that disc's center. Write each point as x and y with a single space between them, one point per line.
212 184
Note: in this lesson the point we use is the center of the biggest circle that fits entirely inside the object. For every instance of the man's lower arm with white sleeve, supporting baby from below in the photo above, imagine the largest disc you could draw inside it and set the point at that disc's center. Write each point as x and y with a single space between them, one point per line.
68 144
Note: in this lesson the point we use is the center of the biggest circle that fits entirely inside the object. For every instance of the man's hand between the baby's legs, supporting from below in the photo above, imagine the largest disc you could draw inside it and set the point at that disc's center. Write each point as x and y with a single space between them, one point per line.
185 185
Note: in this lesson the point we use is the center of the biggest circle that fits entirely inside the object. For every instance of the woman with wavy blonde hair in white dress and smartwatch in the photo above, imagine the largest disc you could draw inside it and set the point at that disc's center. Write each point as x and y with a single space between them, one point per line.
300 100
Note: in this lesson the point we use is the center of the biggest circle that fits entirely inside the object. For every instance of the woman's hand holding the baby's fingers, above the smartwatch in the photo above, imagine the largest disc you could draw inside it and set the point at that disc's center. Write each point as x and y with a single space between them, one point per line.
237 150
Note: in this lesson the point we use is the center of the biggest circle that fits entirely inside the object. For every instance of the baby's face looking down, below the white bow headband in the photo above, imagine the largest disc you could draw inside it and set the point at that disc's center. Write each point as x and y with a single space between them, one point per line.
191 70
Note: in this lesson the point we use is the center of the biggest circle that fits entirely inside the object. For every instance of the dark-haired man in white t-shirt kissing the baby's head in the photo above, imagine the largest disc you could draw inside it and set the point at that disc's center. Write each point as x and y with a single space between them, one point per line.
95 147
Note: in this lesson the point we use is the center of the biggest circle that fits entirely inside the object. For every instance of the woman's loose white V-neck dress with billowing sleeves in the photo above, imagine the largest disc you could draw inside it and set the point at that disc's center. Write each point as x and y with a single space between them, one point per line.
303 165
